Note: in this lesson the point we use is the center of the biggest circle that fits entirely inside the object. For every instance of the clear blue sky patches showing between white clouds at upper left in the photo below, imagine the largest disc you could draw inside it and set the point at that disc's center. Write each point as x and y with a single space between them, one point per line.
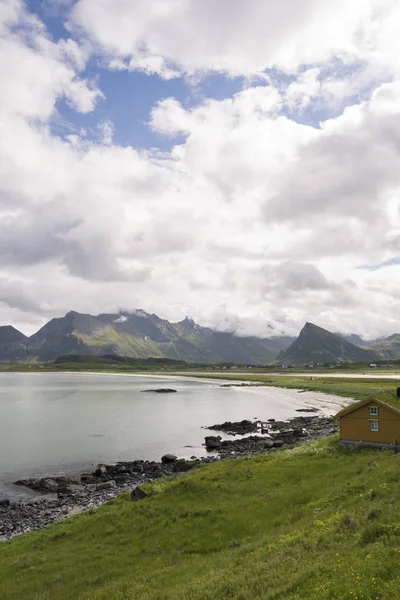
128 95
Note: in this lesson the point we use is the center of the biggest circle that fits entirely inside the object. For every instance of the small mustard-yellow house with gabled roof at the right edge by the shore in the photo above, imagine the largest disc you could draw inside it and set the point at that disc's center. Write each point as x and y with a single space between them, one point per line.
370 422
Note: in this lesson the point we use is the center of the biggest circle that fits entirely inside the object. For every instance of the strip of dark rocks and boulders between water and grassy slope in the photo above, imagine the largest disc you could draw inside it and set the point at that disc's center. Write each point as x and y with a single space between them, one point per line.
62 497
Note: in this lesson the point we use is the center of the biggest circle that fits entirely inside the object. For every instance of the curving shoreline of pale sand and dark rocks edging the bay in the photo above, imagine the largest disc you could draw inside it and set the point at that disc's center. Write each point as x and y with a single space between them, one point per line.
64 495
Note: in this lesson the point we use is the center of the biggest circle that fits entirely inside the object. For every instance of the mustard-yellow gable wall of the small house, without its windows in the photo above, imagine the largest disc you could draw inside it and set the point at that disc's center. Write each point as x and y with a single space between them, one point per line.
355 425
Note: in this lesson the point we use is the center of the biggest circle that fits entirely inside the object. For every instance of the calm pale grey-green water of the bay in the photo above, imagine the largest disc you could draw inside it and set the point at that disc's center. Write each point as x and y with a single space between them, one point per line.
53 423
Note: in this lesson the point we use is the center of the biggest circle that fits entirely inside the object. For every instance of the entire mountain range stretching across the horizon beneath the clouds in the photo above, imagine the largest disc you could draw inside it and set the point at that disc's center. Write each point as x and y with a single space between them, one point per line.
139 334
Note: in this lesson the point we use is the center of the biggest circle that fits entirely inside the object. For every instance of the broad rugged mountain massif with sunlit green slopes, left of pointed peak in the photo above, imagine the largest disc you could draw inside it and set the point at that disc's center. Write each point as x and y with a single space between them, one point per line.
139 334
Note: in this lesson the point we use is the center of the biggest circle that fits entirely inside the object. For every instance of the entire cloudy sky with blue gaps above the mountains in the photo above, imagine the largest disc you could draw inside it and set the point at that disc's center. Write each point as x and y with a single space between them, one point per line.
234 161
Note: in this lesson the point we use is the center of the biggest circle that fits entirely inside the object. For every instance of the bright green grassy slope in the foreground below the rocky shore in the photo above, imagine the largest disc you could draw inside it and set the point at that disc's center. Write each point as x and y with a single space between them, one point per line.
319 521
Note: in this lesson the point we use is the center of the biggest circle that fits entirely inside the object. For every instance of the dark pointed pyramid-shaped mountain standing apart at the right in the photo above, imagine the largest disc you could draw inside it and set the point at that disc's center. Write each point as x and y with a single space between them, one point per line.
317 345
